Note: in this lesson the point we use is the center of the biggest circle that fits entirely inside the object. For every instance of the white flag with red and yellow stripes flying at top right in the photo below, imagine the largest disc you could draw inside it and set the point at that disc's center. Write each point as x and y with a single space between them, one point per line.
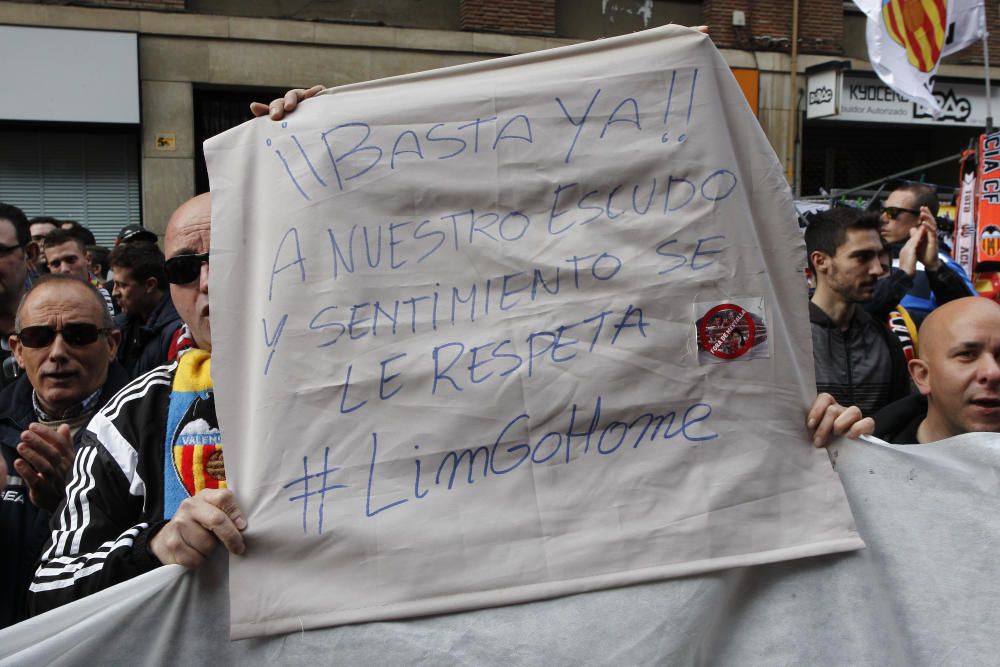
908 38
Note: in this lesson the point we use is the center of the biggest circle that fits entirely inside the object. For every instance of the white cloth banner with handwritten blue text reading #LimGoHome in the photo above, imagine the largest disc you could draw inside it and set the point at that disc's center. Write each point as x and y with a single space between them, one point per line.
509 331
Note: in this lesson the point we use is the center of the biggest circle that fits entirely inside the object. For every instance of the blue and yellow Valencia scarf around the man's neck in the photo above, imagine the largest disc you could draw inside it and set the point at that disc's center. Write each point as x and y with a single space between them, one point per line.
193 444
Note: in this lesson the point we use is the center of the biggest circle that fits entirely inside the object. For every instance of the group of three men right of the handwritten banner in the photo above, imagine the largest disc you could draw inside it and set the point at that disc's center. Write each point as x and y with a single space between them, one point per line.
865 266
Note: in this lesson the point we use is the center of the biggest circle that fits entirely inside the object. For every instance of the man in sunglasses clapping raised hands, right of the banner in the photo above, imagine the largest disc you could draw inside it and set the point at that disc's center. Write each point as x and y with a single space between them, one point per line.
923 278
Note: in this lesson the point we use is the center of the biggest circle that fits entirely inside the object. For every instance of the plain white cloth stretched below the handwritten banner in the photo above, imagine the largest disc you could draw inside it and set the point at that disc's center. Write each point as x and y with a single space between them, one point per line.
923 593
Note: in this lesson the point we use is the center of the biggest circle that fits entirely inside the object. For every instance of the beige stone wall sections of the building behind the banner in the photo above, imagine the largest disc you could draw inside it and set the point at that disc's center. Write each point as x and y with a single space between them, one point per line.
180 50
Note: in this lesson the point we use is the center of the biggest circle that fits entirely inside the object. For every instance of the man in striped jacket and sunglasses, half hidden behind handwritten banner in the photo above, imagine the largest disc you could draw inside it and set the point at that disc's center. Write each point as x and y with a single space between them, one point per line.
150 488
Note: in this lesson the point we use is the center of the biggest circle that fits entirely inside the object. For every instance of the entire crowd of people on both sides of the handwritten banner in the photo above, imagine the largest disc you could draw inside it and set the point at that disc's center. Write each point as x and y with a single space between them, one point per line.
110 381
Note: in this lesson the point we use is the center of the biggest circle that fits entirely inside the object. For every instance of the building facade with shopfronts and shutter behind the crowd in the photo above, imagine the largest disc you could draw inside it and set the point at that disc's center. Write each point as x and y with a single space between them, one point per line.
106 102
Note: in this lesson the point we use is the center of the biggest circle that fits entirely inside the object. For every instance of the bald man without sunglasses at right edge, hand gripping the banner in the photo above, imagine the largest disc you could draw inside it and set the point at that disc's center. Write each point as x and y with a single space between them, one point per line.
957 377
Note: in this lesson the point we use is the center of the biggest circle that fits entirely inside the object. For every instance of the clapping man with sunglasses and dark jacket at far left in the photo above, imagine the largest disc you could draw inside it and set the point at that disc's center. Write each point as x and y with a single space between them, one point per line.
65 342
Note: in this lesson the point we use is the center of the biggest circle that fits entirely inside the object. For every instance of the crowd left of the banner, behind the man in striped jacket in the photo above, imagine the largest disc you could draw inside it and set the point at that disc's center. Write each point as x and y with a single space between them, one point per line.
76 332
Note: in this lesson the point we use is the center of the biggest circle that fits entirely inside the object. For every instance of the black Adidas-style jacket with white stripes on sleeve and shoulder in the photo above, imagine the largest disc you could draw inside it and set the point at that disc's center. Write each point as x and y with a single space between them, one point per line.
114 500
